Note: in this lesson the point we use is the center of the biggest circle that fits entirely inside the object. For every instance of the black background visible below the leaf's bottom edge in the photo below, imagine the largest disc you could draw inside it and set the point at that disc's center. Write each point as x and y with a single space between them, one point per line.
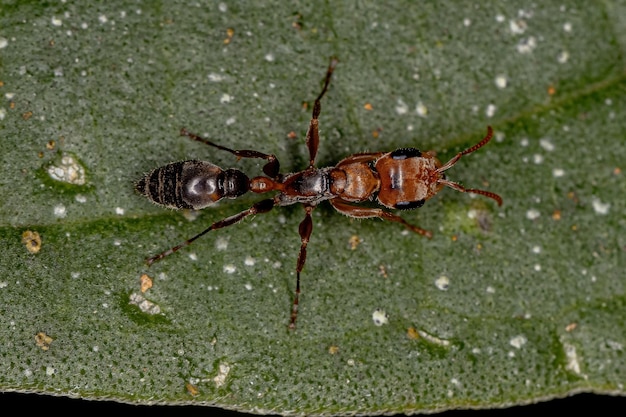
582 403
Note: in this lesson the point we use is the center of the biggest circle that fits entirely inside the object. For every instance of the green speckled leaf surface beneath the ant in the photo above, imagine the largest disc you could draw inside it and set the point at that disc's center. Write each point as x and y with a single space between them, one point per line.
505 305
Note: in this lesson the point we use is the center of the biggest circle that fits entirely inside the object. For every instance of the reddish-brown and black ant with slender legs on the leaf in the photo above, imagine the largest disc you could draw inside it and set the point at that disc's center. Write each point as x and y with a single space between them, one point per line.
403 179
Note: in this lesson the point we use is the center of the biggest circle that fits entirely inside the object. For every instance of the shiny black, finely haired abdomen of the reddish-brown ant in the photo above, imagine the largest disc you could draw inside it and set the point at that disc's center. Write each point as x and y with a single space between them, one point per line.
192 184
